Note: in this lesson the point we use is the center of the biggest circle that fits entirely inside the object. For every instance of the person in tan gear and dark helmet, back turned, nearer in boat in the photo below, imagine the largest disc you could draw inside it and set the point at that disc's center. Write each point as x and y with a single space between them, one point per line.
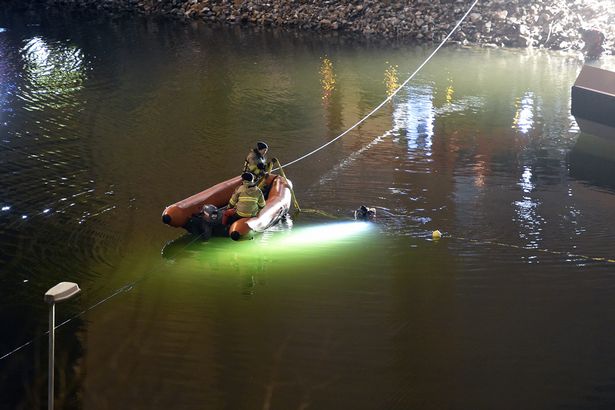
245 202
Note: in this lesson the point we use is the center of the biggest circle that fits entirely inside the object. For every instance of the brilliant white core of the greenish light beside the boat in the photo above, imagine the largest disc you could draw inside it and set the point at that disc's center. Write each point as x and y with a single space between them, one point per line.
325 233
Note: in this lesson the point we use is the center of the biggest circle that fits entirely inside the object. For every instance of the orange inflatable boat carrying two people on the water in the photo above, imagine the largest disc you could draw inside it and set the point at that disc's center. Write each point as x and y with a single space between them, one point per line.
201 214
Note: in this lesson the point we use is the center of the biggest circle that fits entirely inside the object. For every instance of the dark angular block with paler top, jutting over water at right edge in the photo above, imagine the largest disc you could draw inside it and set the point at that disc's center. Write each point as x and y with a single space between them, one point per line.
593 101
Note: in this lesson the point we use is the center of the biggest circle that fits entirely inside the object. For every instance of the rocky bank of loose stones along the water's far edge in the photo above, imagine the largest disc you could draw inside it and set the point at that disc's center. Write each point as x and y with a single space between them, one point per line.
553 24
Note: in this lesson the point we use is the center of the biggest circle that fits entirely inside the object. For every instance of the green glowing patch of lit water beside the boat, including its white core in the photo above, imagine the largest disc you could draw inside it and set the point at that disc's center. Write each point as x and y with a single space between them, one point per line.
277 262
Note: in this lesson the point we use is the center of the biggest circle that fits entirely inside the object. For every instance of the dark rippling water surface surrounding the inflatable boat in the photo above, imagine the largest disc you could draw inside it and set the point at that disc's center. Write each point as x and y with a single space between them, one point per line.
104 122
